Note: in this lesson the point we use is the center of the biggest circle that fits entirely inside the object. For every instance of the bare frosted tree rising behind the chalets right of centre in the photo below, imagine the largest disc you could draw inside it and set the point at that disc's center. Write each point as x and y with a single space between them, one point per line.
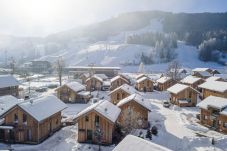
173 70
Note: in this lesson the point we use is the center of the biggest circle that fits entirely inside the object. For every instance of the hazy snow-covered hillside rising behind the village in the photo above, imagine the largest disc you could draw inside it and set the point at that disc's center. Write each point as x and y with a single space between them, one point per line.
80 45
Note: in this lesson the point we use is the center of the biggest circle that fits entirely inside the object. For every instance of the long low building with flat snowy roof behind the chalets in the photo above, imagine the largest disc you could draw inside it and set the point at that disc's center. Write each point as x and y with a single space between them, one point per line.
108 71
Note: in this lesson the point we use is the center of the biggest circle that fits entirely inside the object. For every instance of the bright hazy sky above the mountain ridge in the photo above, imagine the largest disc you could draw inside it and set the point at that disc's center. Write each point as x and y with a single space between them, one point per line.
42 17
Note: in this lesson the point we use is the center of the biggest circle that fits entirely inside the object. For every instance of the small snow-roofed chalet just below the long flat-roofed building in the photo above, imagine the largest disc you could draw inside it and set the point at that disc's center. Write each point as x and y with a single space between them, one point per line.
96 82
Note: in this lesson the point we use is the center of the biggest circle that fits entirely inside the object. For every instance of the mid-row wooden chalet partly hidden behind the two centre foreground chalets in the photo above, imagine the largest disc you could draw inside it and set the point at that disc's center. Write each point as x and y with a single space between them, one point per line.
121 92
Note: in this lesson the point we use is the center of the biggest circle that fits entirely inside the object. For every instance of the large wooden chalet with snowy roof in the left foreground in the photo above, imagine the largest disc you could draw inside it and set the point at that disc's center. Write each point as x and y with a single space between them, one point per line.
32 121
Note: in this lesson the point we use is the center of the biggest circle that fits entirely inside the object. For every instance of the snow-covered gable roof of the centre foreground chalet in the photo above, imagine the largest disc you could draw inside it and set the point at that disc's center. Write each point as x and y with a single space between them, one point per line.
105 108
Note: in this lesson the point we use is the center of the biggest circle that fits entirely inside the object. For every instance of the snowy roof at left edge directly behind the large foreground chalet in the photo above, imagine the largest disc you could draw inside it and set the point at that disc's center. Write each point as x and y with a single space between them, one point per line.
7 102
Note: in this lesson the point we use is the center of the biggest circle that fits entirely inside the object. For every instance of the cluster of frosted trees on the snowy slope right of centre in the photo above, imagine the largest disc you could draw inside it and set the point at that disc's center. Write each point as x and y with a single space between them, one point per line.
163 46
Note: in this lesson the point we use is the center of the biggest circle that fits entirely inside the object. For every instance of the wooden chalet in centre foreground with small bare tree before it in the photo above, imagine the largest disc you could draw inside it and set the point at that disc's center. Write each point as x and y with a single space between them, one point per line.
99 116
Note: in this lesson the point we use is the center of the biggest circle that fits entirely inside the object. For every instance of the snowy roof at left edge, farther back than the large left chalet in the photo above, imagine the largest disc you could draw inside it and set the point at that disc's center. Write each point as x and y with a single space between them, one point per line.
8 81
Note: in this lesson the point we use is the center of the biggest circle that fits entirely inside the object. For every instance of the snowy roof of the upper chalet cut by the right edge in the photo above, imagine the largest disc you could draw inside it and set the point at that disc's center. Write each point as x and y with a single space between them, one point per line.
218 86
